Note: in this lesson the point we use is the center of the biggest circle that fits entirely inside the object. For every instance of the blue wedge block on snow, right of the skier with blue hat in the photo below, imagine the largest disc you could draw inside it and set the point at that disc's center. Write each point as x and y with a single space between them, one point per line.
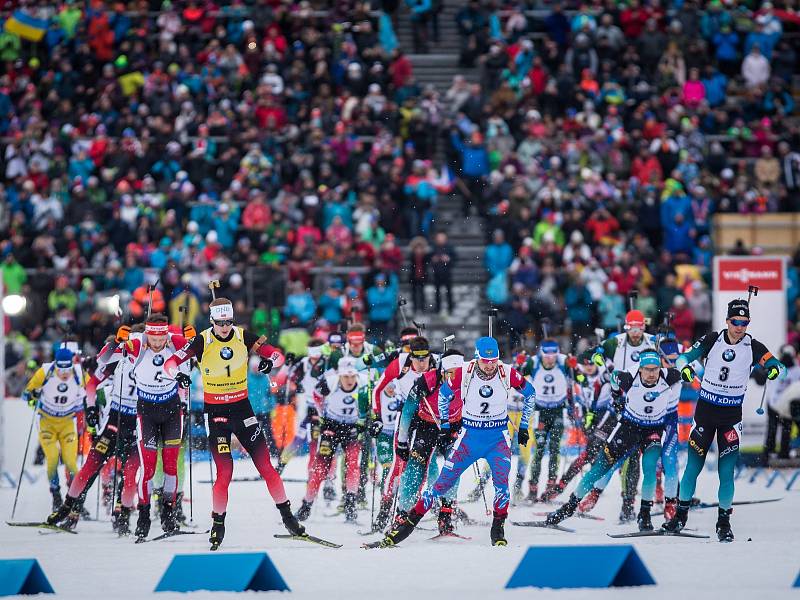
580 566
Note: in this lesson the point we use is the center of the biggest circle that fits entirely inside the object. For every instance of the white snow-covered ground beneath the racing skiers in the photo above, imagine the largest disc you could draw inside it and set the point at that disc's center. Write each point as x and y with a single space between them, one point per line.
763 561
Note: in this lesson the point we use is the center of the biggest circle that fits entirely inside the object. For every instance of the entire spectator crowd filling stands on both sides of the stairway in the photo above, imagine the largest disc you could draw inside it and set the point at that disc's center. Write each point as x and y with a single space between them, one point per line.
185 141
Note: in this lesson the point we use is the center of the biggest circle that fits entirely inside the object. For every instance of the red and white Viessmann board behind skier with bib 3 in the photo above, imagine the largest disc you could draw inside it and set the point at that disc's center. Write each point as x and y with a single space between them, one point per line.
732 276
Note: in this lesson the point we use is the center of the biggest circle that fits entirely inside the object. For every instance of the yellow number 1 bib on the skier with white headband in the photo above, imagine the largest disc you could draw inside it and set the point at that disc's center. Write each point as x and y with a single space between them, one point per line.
224 368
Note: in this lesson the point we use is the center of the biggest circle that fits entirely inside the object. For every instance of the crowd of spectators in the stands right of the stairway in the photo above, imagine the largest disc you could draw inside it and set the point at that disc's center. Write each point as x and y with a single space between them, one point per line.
603 138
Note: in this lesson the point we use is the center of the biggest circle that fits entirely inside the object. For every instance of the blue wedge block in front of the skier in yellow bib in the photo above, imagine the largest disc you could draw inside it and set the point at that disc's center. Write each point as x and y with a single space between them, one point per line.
221 573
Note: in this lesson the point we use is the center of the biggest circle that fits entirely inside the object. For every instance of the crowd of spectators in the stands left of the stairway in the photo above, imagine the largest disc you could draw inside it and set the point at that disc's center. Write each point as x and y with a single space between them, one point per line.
185 141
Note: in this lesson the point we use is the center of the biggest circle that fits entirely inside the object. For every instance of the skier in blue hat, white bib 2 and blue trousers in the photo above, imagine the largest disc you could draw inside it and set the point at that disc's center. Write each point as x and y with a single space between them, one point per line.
484 384
